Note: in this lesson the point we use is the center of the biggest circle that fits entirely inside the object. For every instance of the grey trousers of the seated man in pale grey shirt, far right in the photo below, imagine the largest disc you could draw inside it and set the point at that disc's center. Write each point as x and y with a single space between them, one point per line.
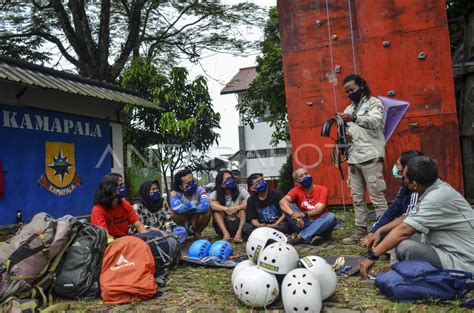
414 250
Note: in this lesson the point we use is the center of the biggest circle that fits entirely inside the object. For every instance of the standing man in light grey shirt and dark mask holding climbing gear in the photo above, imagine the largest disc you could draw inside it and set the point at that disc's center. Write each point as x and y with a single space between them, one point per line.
364 117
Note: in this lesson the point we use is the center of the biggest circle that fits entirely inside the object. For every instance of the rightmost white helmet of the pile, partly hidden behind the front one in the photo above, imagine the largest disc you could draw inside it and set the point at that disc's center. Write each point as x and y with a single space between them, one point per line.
323 270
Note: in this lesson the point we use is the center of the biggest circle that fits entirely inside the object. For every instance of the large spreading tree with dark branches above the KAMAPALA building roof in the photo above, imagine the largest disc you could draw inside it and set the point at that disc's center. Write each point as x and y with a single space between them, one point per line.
99 37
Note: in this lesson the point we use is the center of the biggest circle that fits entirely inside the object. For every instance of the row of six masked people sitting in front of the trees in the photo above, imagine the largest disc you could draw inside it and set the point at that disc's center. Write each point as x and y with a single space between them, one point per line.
302 213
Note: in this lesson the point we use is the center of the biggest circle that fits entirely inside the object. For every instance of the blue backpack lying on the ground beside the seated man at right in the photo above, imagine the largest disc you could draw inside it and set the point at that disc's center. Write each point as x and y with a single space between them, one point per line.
415 280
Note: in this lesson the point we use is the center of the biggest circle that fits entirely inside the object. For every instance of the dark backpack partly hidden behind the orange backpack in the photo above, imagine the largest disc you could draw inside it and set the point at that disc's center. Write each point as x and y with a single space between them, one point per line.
165 248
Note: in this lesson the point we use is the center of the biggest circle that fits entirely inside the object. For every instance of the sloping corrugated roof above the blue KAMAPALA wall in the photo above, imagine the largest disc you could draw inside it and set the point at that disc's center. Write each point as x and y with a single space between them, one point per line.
35 75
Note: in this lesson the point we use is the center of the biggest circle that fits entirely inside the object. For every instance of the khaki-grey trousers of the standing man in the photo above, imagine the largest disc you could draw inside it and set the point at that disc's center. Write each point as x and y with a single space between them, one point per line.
368 175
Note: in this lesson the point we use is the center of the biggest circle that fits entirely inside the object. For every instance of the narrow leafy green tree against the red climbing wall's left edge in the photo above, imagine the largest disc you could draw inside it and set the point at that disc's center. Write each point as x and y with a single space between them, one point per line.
266 95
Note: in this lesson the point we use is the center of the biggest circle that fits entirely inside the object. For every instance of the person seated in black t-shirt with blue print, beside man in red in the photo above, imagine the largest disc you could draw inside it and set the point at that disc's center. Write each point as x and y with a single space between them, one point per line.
263 207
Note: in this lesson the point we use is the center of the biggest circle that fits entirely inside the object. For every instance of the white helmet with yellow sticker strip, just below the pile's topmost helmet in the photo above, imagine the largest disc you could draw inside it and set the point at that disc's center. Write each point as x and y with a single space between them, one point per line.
278 258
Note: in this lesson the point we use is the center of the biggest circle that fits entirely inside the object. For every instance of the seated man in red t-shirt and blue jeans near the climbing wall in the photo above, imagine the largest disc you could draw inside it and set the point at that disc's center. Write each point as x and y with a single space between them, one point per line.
306 208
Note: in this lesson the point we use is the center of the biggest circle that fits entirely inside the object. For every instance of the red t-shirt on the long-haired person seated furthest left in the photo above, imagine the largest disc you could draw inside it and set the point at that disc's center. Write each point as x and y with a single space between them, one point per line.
115 220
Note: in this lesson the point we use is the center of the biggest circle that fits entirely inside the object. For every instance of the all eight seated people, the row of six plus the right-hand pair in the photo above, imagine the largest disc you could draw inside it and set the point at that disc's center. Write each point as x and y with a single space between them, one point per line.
428 220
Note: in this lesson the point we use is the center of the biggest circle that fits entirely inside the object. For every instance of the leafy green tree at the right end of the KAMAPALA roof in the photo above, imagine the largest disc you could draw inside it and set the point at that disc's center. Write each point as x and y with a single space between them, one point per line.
183 131
